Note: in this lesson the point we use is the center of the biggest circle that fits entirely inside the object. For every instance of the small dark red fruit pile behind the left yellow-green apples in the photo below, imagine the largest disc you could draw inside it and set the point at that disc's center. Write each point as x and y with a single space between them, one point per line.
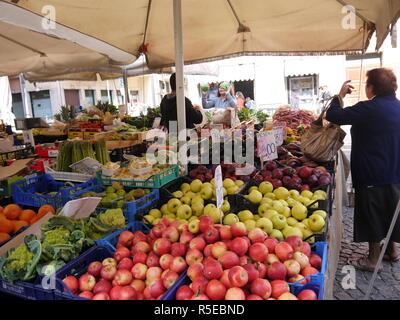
228 172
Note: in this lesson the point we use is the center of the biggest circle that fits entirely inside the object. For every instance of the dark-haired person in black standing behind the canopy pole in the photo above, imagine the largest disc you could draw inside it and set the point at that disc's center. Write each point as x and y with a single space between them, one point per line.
168 108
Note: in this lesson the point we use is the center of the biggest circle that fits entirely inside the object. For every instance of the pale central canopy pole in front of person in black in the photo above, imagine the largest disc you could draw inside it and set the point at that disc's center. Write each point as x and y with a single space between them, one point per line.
180 90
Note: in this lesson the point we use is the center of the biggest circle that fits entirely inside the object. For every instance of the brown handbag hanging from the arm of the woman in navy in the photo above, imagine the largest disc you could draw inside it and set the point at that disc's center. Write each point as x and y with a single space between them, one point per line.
322 142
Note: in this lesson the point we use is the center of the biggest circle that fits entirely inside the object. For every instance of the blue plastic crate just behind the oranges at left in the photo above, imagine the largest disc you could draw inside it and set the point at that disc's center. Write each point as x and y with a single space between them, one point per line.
24 191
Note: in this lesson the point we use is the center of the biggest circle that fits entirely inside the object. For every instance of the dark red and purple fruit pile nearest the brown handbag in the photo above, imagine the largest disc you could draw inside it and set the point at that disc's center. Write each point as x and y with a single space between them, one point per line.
300 178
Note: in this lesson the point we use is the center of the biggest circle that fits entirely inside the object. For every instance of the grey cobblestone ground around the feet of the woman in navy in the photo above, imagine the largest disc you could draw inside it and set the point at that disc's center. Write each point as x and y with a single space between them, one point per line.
387 283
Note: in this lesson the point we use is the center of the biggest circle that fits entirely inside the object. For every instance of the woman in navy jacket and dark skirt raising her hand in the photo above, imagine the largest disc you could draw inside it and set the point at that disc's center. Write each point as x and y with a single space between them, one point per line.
375 162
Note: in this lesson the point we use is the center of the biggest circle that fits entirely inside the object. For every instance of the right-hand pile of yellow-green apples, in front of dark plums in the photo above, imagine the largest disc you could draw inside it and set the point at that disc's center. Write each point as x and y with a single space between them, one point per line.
282 213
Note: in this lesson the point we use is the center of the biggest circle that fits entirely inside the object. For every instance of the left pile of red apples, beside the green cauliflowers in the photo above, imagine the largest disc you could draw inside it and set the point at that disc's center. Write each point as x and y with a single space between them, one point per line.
143 267
